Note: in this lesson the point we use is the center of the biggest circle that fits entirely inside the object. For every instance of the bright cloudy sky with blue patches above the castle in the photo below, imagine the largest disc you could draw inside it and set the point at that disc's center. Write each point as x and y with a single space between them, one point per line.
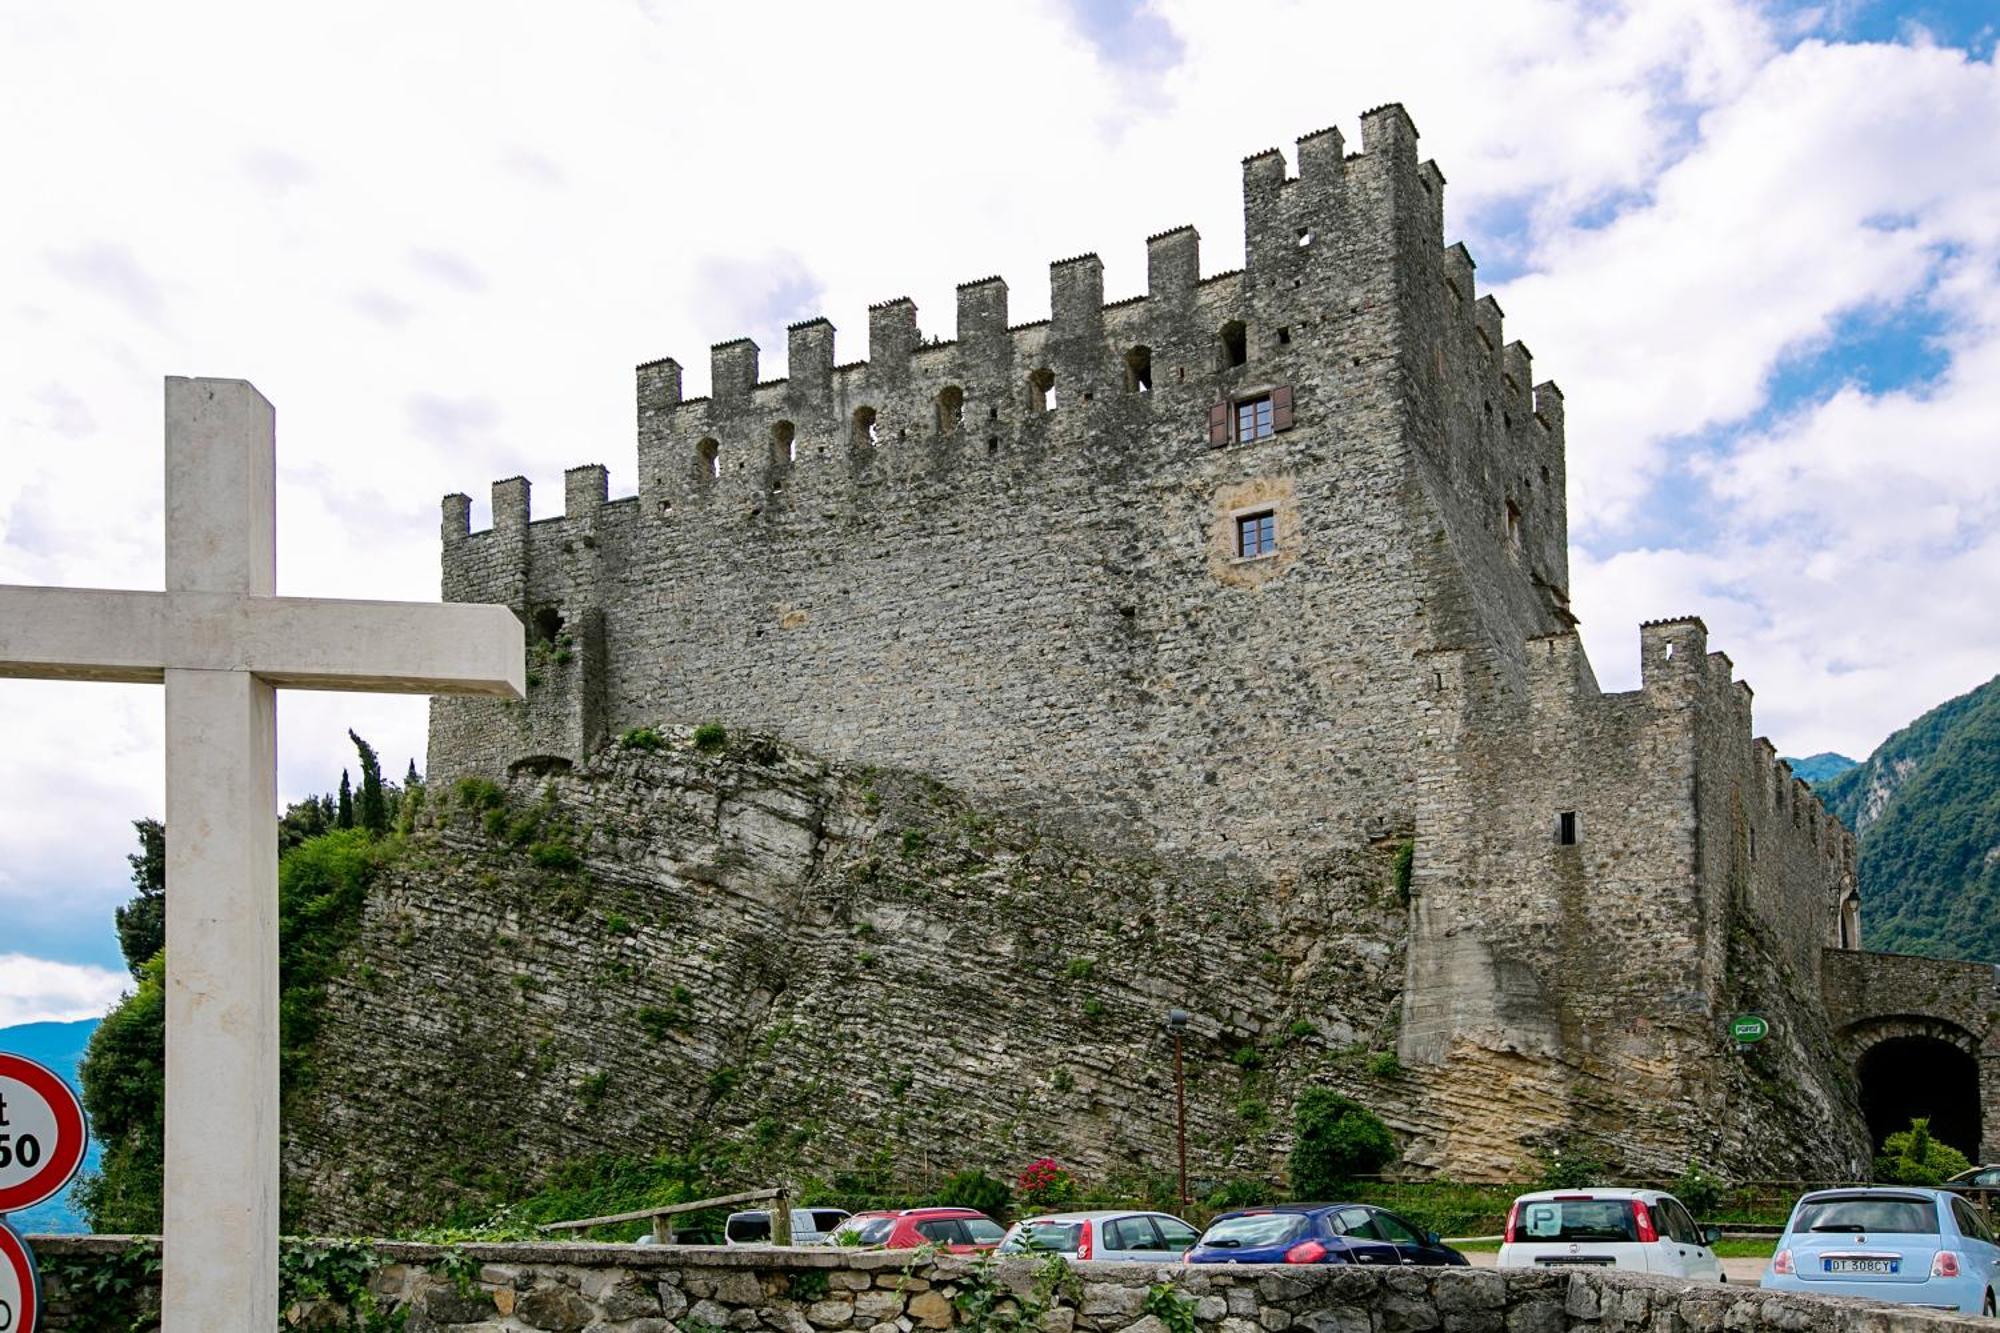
1759 245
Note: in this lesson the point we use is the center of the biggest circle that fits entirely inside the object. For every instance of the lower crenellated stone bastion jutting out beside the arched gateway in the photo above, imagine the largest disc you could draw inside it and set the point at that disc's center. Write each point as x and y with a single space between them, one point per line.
1615 962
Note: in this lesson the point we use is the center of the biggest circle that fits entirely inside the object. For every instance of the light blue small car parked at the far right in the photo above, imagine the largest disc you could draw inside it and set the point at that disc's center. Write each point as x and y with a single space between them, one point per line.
1907 1246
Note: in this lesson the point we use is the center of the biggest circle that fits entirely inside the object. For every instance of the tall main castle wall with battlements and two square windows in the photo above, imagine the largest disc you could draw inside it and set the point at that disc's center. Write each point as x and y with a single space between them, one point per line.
905 561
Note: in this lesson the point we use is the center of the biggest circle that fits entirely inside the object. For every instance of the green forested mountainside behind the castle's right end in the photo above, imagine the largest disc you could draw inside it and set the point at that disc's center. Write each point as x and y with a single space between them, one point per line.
1927 810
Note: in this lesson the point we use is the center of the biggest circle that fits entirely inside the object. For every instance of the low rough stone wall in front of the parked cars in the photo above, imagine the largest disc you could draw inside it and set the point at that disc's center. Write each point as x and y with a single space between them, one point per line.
645 1290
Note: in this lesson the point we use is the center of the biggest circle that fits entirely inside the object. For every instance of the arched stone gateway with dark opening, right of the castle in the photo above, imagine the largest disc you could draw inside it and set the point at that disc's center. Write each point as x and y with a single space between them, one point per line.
1919 1036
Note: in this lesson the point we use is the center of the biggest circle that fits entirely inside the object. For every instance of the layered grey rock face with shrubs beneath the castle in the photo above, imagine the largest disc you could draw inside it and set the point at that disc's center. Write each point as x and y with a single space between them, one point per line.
821 970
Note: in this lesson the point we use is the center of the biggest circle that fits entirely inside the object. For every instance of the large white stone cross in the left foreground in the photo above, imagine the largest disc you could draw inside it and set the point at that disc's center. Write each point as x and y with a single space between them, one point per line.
223 641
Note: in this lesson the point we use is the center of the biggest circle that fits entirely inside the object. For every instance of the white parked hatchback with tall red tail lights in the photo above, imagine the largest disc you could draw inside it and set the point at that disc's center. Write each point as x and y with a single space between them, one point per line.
1643 1230
